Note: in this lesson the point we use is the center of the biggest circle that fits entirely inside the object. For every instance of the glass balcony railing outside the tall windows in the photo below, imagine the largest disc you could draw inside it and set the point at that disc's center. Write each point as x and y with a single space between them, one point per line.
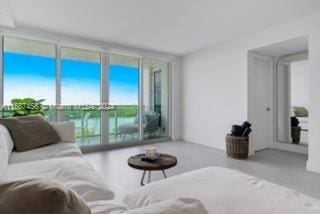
88 122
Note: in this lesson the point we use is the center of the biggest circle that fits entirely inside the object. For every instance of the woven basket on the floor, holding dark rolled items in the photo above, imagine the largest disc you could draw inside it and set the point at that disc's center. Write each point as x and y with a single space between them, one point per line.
237 147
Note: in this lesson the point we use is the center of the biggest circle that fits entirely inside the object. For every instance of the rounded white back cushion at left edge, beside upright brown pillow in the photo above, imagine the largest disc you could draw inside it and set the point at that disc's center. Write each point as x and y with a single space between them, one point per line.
6 146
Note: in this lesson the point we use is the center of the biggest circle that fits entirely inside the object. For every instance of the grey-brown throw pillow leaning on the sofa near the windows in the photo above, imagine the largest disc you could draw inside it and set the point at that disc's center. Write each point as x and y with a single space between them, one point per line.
30 132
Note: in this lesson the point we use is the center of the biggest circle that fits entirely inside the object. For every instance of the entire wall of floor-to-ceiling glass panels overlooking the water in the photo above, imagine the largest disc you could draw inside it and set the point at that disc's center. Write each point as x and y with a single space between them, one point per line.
73 84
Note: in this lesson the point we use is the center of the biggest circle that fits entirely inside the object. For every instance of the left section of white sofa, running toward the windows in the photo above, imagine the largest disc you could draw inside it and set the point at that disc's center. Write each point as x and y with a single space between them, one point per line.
62 162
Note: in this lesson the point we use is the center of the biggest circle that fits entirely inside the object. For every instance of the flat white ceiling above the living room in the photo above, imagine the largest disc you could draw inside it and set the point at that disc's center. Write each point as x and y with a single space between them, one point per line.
173 26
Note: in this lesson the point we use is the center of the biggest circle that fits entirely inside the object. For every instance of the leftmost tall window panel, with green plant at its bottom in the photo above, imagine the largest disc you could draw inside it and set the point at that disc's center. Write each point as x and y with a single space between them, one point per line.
29 72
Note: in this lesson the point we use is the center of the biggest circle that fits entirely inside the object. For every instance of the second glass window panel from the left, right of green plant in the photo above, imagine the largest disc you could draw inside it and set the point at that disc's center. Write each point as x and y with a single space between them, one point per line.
80 93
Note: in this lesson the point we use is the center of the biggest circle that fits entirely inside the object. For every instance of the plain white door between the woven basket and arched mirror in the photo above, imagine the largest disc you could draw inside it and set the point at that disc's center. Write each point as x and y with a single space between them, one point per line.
260 85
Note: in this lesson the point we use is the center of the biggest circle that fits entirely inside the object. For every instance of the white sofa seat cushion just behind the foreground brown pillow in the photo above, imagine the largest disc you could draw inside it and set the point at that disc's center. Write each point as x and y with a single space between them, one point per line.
73 172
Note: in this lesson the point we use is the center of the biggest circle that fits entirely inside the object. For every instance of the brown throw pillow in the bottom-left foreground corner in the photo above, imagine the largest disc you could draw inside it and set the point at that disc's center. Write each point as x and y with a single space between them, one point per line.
39 197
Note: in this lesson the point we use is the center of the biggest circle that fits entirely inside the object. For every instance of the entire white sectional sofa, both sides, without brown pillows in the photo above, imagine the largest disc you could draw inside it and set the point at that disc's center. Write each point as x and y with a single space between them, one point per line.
220 190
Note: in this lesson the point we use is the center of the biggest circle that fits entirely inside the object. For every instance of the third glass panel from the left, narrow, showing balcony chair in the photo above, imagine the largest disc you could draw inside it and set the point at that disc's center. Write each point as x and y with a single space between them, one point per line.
124 98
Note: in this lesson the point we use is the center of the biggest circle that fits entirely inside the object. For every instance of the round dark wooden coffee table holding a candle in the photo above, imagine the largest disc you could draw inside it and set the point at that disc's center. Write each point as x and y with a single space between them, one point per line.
163 162
